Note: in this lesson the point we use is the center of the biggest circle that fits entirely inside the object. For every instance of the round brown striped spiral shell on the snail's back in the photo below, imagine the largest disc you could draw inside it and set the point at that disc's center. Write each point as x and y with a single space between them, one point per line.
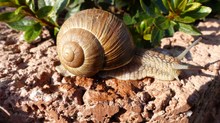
94 40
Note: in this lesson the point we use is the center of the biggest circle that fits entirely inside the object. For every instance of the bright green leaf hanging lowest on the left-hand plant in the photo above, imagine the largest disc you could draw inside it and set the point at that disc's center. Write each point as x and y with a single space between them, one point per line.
32 32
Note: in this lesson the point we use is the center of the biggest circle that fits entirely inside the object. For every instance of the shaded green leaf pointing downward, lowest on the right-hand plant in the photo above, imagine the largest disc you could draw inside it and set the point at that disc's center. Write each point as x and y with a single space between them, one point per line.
156 36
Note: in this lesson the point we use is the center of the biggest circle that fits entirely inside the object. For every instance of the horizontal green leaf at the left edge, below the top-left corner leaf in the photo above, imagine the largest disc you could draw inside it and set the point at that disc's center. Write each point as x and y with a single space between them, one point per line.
10 17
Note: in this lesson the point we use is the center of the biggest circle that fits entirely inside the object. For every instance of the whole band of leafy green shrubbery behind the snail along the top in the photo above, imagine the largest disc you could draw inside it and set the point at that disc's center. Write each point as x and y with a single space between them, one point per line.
148 20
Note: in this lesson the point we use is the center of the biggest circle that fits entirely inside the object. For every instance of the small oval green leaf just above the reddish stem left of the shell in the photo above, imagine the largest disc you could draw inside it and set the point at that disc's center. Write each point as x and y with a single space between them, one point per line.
44 11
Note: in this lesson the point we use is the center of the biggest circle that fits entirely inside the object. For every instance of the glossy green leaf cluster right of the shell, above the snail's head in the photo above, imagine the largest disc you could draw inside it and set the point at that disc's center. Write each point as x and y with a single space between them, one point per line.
159 18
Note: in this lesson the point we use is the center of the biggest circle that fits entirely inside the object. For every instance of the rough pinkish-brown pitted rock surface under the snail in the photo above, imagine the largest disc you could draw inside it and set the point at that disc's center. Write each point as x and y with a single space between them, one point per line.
31 90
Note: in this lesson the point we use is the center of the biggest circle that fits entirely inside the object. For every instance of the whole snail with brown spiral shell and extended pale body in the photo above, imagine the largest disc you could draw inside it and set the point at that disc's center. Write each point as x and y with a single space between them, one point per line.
94 40
